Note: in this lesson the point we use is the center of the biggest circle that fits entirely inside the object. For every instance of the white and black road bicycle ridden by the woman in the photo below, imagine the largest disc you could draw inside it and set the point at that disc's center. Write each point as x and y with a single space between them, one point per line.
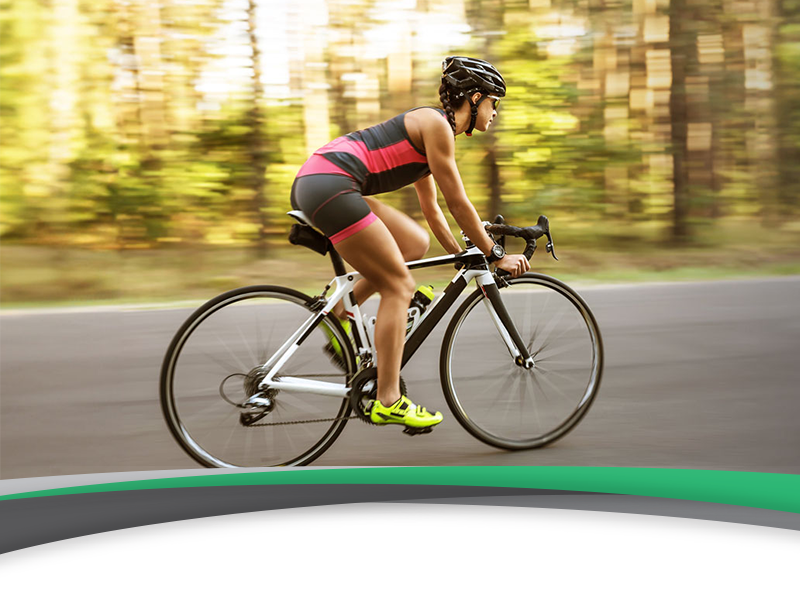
247 380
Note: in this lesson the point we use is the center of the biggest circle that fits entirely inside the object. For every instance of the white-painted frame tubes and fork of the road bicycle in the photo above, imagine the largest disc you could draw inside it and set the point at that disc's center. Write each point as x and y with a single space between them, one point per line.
343 285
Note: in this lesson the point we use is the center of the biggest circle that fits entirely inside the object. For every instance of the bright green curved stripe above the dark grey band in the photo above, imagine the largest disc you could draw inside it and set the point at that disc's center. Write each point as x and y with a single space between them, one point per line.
758 490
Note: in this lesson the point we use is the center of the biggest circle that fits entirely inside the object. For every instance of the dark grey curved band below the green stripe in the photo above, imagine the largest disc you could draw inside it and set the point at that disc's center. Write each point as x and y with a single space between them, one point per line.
29 522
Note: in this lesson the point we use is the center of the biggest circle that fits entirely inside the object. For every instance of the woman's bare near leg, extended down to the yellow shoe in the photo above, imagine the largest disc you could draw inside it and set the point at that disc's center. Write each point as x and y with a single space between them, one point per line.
374 253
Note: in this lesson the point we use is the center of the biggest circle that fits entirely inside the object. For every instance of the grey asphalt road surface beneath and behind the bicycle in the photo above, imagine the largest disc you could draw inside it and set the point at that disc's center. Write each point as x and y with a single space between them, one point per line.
701 375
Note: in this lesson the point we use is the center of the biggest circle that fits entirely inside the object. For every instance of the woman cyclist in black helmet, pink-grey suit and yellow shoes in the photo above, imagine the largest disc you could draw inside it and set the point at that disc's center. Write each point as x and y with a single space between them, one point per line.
334 186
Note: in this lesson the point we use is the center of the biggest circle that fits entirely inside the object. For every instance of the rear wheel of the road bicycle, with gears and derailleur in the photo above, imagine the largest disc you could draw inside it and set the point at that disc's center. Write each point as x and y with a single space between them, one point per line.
214 365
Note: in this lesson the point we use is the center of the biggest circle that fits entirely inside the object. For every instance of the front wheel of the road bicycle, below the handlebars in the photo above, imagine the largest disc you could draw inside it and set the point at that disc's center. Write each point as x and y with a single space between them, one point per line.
506 405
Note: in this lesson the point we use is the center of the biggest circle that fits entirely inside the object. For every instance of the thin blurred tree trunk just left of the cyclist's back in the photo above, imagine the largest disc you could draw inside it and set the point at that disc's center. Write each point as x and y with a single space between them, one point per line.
256 146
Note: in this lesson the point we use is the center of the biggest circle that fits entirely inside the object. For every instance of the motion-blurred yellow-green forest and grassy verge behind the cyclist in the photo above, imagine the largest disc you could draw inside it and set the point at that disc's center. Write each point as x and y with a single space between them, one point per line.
148 147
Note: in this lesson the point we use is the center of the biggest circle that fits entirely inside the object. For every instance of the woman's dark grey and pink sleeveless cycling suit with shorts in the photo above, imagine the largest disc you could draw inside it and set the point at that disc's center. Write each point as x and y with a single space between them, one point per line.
330 186
